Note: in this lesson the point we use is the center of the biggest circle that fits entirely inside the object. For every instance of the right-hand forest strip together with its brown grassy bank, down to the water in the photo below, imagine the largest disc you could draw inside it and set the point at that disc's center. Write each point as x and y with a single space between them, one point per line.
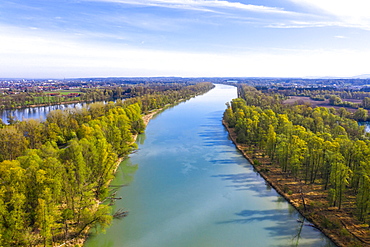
315 157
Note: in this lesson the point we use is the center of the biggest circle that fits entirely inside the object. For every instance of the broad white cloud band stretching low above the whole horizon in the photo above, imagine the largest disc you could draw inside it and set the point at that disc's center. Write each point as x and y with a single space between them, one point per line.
50 56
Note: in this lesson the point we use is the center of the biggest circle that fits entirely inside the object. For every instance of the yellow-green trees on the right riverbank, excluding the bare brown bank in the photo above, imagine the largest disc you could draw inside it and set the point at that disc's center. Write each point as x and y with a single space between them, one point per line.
315 146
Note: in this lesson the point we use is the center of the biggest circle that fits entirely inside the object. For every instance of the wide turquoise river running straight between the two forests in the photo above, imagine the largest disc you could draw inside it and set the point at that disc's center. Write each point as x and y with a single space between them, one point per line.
193 188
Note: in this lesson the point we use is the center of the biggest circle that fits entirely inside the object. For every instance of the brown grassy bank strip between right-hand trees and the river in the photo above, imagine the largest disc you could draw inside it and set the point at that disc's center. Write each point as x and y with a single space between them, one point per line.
309 199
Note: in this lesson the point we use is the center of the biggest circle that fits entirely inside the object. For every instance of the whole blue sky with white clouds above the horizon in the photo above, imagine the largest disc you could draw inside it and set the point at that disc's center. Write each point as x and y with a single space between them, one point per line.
186 38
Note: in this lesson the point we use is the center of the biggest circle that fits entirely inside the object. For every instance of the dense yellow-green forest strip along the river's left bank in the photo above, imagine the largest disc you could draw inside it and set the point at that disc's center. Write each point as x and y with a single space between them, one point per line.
54 175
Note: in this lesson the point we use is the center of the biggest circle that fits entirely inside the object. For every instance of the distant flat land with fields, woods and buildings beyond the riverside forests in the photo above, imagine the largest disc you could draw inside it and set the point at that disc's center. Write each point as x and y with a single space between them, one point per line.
21 93
